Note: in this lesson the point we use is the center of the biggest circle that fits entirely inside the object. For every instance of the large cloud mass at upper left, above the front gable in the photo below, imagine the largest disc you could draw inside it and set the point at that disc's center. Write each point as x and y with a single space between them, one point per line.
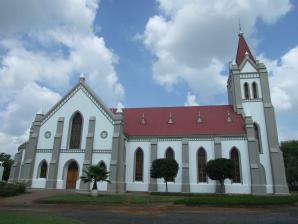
45 45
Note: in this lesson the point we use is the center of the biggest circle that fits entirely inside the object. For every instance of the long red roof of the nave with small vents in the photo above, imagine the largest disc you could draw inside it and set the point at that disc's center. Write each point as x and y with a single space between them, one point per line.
214 121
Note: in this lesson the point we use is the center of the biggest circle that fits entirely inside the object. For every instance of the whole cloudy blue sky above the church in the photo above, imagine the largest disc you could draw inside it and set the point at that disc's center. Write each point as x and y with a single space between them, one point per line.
140 54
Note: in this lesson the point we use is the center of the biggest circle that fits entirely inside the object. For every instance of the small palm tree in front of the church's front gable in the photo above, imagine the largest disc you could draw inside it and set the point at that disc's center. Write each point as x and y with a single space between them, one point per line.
95 173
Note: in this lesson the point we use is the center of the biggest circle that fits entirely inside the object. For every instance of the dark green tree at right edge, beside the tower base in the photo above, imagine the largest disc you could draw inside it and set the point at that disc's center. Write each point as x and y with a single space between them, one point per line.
290 153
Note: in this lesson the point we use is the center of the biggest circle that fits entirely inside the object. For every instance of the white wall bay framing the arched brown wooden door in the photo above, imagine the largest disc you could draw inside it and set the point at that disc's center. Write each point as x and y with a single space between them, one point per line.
62 169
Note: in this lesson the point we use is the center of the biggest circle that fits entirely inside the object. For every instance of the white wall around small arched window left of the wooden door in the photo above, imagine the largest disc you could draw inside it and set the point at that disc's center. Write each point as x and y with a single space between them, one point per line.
38 182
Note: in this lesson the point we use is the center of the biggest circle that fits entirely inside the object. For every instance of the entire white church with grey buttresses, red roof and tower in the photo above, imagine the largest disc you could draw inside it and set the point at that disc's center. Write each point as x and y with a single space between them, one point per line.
81 130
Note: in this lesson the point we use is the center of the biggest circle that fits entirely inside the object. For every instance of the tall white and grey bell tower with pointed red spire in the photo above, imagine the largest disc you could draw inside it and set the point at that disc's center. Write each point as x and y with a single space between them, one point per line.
249 93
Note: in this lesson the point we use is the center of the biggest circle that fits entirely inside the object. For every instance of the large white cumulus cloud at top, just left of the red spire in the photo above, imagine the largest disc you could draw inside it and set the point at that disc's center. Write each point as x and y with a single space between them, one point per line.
192 40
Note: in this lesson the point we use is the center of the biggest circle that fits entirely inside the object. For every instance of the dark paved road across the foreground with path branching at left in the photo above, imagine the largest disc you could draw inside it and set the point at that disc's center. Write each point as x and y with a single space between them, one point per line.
153 213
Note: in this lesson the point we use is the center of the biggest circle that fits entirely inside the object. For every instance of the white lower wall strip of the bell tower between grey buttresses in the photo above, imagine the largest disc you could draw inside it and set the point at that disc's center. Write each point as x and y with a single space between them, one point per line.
256 110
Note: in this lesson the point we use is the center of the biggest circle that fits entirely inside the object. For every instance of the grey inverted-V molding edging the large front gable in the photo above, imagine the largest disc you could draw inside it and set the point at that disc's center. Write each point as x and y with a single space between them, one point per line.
89 93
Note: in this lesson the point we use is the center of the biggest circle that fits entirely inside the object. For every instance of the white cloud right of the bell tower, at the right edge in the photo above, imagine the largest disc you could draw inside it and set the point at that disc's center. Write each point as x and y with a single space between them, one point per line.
283 84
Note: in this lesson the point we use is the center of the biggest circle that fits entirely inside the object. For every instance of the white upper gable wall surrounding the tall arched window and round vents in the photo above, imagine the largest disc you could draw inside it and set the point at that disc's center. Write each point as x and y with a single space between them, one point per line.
80 99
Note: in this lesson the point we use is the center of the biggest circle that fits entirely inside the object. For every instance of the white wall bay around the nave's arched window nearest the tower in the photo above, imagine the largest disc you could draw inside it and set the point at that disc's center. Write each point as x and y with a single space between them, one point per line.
244 187
